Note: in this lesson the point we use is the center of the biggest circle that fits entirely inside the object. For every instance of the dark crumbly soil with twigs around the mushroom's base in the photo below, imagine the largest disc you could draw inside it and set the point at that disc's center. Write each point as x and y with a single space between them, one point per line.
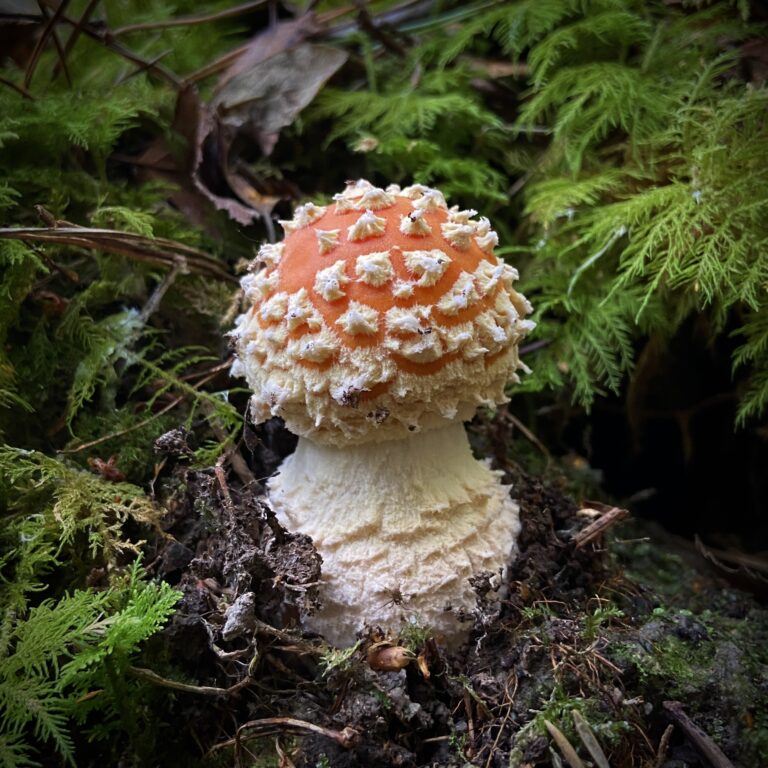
578 641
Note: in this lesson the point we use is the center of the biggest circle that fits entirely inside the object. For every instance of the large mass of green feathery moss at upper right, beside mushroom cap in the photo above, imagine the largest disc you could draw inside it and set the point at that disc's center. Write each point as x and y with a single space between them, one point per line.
643 190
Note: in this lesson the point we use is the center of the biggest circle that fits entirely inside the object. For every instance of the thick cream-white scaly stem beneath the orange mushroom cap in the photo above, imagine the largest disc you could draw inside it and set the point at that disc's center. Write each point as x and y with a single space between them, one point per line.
401 525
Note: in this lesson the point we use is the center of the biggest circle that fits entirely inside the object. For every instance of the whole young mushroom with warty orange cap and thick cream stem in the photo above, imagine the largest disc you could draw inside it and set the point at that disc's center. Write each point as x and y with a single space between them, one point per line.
375 329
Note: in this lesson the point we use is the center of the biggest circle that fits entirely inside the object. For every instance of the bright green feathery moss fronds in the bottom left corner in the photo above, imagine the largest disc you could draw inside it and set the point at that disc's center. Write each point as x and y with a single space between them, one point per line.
61 653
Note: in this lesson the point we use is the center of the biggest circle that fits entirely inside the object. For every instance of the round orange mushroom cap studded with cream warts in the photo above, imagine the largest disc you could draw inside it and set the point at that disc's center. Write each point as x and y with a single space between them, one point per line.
380 314
